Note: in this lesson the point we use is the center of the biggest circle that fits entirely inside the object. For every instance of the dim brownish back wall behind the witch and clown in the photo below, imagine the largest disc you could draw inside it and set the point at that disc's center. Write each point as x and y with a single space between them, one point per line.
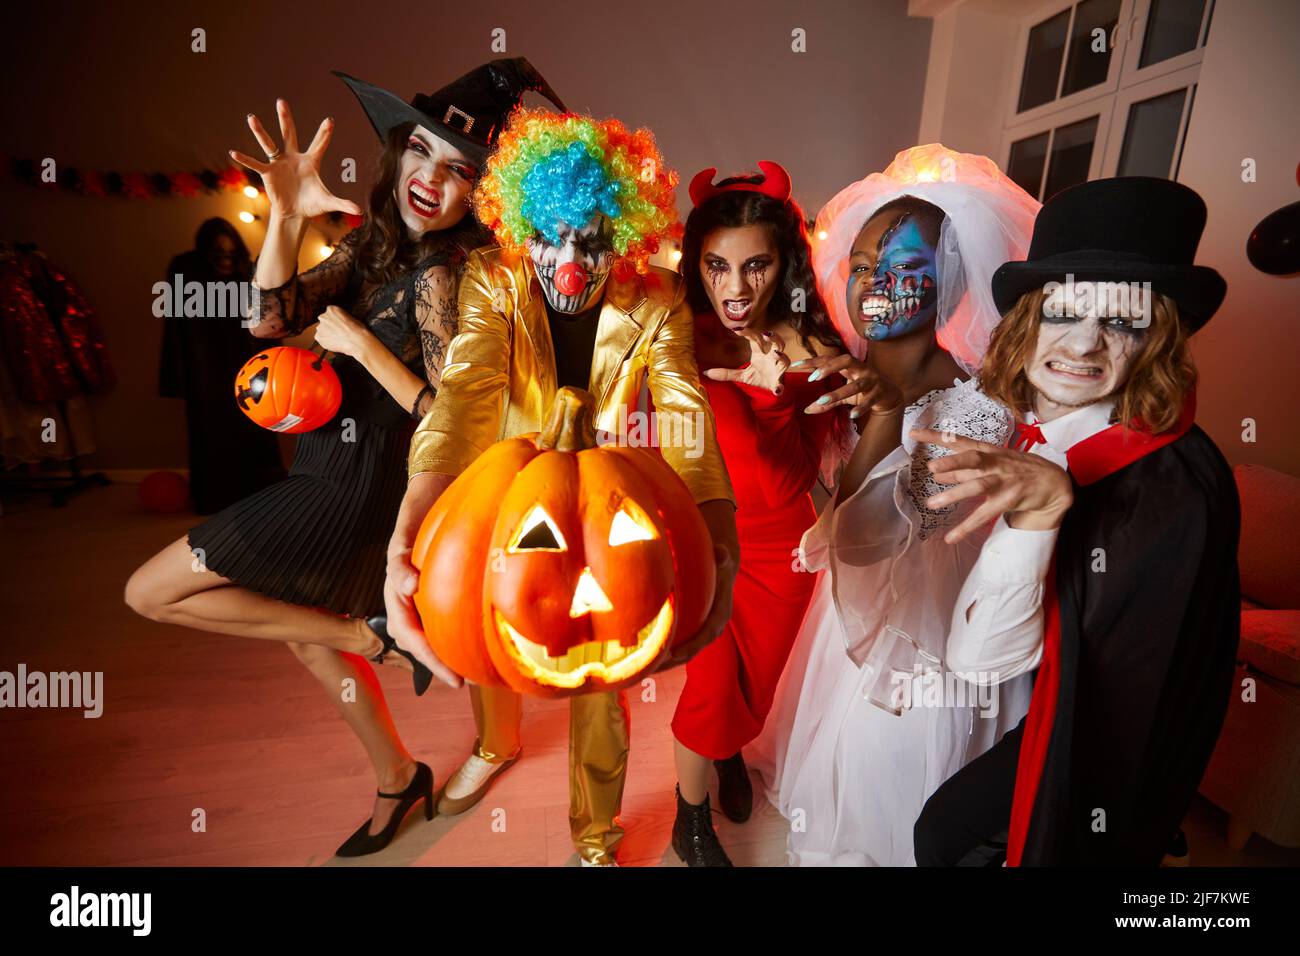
110 86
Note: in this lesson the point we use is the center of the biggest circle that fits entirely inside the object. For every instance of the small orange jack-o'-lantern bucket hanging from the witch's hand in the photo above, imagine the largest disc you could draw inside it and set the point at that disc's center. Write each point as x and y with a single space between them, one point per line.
288 390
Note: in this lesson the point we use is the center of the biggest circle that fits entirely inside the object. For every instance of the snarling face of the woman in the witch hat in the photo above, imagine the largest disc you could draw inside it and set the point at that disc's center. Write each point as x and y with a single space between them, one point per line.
435 181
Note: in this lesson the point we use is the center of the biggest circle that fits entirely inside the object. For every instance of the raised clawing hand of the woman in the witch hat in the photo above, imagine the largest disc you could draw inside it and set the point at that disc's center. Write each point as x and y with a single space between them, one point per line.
293 180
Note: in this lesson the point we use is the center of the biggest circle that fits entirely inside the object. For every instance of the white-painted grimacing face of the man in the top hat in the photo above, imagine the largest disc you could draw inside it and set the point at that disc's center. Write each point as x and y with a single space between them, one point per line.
1081 360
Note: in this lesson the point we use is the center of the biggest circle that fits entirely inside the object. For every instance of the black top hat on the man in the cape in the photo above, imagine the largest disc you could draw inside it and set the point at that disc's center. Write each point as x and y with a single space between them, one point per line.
1132 230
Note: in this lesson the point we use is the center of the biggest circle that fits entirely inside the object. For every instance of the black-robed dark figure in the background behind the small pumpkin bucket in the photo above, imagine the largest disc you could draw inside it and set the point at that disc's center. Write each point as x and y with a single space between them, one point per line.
231 457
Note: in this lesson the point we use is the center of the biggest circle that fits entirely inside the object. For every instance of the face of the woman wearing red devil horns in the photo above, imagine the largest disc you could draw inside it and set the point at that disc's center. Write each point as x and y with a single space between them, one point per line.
740 269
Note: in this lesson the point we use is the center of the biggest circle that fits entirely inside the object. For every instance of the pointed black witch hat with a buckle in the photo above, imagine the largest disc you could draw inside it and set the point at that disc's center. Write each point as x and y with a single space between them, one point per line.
469 113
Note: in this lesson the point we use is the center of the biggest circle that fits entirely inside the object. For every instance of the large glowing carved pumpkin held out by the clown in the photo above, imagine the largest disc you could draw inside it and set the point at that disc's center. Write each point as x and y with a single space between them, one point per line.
558 568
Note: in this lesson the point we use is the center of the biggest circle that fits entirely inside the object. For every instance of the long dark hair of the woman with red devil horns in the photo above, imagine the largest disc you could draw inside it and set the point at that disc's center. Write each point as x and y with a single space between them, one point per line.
786 220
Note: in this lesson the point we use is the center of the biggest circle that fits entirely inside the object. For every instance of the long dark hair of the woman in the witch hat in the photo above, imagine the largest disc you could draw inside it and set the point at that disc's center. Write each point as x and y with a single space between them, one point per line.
384 249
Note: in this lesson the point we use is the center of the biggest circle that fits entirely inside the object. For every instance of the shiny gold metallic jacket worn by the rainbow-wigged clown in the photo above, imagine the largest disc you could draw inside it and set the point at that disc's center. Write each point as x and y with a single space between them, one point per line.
500 375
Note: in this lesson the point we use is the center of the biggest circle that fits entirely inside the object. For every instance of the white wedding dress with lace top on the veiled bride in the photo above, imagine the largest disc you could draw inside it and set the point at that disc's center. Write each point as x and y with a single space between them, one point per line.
868 723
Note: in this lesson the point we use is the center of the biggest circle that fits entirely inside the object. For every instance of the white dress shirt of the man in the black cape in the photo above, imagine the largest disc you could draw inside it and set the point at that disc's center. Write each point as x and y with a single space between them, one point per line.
998 621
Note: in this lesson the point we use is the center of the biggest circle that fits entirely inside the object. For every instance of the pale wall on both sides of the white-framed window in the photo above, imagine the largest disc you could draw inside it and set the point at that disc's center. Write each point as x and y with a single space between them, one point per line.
1245 107
